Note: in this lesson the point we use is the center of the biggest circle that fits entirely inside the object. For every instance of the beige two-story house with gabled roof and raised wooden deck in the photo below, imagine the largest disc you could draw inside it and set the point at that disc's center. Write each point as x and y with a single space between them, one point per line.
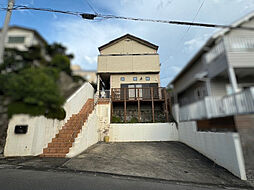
129 74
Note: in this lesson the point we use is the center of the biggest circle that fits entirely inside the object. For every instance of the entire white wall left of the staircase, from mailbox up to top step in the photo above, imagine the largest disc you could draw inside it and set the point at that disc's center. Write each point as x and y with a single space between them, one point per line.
40 129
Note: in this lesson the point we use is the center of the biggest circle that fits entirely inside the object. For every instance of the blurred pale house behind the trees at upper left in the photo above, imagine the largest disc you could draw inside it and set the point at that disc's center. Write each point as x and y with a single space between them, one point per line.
22 38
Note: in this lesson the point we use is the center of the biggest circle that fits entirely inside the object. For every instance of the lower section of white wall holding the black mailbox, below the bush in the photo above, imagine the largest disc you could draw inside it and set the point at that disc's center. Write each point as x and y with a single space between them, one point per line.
40 132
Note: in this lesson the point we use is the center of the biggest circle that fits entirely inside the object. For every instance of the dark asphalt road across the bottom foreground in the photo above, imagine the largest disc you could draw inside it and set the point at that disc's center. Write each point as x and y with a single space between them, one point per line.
19 179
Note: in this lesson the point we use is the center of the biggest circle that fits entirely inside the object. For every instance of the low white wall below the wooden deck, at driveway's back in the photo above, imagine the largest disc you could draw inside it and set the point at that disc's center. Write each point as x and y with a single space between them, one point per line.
143 132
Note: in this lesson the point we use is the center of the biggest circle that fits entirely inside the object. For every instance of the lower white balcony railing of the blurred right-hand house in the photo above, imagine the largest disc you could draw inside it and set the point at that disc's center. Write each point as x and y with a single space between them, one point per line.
212 107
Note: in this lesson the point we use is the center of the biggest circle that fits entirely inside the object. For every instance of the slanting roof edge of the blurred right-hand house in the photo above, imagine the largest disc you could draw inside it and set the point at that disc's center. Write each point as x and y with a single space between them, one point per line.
209 42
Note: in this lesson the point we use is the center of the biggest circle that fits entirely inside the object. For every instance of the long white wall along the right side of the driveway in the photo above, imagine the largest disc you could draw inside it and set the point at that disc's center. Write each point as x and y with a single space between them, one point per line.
222 148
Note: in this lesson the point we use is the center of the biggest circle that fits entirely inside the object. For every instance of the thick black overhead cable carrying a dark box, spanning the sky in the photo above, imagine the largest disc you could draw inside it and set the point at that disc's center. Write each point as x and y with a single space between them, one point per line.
93 16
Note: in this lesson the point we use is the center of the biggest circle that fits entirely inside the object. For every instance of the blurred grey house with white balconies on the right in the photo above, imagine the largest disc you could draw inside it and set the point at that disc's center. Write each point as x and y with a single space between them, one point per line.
223 66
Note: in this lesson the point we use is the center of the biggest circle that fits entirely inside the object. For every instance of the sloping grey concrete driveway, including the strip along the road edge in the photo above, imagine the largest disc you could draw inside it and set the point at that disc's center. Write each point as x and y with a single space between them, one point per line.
166 162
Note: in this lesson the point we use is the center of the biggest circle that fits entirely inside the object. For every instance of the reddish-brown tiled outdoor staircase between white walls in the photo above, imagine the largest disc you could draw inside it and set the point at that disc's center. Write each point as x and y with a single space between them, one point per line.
62 142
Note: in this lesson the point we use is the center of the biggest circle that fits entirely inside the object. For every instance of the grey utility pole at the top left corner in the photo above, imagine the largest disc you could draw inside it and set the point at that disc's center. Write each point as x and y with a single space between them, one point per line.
5 28
